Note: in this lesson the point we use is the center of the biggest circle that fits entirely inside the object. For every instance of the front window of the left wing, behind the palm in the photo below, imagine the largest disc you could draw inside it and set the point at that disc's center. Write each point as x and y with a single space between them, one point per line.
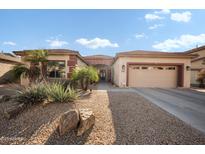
56 69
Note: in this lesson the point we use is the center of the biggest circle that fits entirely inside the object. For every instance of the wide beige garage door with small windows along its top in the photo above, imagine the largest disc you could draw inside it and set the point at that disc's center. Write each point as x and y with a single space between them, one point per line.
152 76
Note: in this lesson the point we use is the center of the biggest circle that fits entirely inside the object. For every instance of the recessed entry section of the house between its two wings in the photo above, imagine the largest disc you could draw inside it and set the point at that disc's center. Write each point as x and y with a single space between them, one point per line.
103 65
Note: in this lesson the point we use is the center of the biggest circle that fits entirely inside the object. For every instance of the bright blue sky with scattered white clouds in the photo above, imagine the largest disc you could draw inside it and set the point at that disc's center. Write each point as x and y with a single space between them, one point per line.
102 31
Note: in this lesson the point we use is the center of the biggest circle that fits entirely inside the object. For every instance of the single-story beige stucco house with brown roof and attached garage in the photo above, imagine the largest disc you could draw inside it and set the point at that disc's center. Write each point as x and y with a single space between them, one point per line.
127 69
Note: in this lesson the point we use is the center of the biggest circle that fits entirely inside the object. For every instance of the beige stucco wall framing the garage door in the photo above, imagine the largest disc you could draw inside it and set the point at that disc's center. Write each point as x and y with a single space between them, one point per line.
120 78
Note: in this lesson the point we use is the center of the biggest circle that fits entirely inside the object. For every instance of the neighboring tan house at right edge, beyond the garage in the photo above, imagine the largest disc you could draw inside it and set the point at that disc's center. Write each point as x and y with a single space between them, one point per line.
197 63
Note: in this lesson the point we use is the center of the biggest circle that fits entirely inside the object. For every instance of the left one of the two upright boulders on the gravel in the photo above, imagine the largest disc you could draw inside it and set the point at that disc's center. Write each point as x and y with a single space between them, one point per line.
68 121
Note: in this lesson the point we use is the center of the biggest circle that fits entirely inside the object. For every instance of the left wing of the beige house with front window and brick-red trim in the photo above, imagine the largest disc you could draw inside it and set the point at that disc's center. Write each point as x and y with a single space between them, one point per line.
61 62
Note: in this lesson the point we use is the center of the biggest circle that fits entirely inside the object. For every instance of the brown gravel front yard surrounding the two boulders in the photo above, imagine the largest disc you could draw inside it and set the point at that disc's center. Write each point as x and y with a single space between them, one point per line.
121 118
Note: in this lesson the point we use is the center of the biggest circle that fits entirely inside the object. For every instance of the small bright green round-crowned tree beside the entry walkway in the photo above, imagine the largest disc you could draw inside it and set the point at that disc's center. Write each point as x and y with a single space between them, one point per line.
85 76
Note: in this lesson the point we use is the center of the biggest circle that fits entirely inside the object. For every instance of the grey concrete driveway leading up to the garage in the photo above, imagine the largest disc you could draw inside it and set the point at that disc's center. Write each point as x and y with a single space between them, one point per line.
186 104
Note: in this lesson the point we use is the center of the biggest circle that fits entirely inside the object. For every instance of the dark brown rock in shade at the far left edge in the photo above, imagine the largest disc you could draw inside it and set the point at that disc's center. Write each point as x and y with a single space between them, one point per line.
13 110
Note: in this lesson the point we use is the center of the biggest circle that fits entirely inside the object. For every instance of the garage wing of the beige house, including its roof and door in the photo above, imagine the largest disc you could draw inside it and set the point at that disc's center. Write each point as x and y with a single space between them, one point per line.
152 69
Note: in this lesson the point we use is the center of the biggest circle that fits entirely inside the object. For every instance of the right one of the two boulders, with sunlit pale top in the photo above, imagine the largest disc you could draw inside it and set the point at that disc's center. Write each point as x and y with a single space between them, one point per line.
87 120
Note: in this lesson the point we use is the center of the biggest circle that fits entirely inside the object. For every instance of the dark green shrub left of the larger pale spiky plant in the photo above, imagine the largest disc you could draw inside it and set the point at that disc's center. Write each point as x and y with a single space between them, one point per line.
33 94
